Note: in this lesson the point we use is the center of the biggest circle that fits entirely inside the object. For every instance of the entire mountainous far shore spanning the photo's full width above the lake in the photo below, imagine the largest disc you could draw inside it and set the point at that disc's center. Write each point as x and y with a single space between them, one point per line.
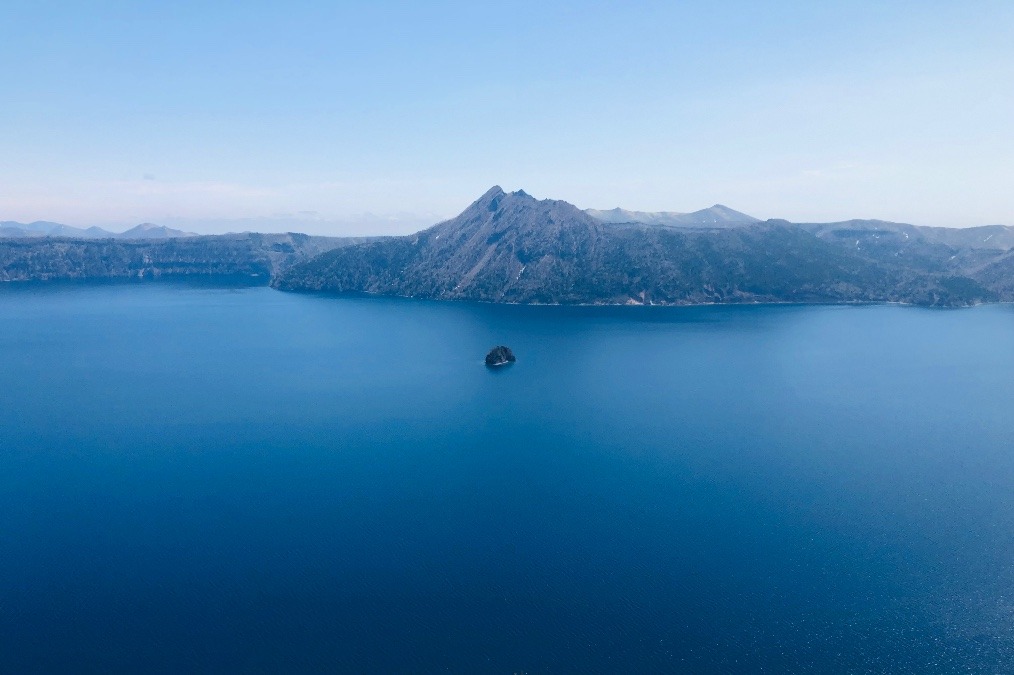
513 248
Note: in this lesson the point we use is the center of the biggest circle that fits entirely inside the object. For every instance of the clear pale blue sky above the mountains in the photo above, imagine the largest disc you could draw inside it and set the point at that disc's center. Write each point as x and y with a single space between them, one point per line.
215 114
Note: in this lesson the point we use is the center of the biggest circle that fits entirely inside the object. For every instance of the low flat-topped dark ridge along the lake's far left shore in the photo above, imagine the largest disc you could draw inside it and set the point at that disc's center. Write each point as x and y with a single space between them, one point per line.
255 256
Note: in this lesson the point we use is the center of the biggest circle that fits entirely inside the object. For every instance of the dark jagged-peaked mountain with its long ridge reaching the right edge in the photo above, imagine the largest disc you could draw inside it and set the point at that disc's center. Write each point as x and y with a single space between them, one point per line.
512 248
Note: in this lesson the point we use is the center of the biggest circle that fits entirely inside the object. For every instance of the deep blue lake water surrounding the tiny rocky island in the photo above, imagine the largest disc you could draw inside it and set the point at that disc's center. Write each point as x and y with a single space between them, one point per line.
207 480
